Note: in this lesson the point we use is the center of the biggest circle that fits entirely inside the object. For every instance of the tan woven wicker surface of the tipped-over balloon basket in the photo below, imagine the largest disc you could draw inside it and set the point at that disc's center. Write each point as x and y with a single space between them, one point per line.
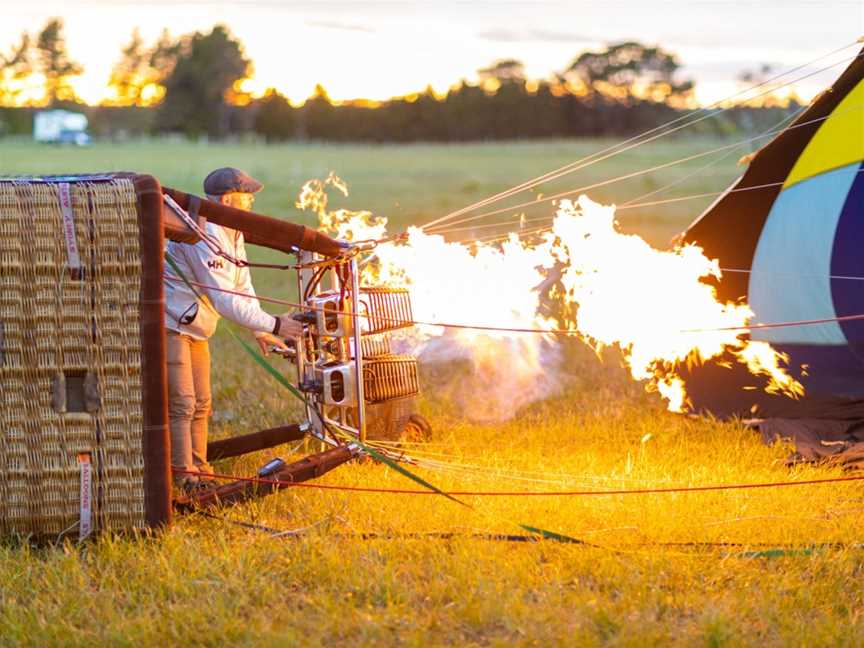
61 337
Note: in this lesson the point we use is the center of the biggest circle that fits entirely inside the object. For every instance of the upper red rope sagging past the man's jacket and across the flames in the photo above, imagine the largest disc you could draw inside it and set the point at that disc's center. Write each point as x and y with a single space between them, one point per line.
503 329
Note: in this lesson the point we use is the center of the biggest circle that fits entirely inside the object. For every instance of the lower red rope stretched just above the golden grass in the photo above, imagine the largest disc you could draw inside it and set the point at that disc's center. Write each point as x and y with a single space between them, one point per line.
636 491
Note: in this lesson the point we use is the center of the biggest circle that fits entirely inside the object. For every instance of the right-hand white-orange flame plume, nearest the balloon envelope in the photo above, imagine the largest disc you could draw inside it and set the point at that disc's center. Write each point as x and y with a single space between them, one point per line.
653 304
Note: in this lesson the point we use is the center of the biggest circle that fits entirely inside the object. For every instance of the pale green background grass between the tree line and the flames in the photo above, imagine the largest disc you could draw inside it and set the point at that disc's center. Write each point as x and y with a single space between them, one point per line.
409 183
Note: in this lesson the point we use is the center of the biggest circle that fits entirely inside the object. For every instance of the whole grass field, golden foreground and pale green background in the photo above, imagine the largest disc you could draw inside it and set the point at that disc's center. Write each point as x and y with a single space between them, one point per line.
660 569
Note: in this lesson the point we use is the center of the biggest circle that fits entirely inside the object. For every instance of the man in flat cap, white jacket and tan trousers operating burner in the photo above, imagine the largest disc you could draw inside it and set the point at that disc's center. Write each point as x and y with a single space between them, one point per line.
191 320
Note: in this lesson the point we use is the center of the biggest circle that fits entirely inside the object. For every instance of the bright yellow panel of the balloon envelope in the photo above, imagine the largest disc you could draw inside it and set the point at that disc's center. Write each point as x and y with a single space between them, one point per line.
838 142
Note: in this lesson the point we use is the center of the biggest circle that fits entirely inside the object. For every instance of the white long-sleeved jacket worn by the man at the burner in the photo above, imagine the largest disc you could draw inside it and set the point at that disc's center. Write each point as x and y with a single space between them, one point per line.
185 313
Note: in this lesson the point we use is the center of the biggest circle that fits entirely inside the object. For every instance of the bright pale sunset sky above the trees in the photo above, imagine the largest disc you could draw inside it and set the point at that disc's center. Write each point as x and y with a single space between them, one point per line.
376 50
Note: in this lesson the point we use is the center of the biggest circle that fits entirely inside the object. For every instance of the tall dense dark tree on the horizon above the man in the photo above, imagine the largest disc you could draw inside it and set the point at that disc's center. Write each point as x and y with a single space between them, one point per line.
207 67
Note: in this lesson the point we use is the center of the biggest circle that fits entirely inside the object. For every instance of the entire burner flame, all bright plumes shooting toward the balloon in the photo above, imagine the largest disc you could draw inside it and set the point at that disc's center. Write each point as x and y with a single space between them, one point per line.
616 290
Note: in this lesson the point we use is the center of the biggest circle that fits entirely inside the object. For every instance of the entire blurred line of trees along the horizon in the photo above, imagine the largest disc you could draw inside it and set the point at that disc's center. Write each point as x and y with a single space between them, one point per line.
193 85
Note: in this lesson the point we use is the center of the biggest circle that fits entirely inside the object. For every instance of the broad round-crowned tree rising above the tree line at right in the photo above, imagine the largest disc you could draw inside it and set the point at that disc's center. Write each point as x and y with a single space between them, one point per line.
631 70
